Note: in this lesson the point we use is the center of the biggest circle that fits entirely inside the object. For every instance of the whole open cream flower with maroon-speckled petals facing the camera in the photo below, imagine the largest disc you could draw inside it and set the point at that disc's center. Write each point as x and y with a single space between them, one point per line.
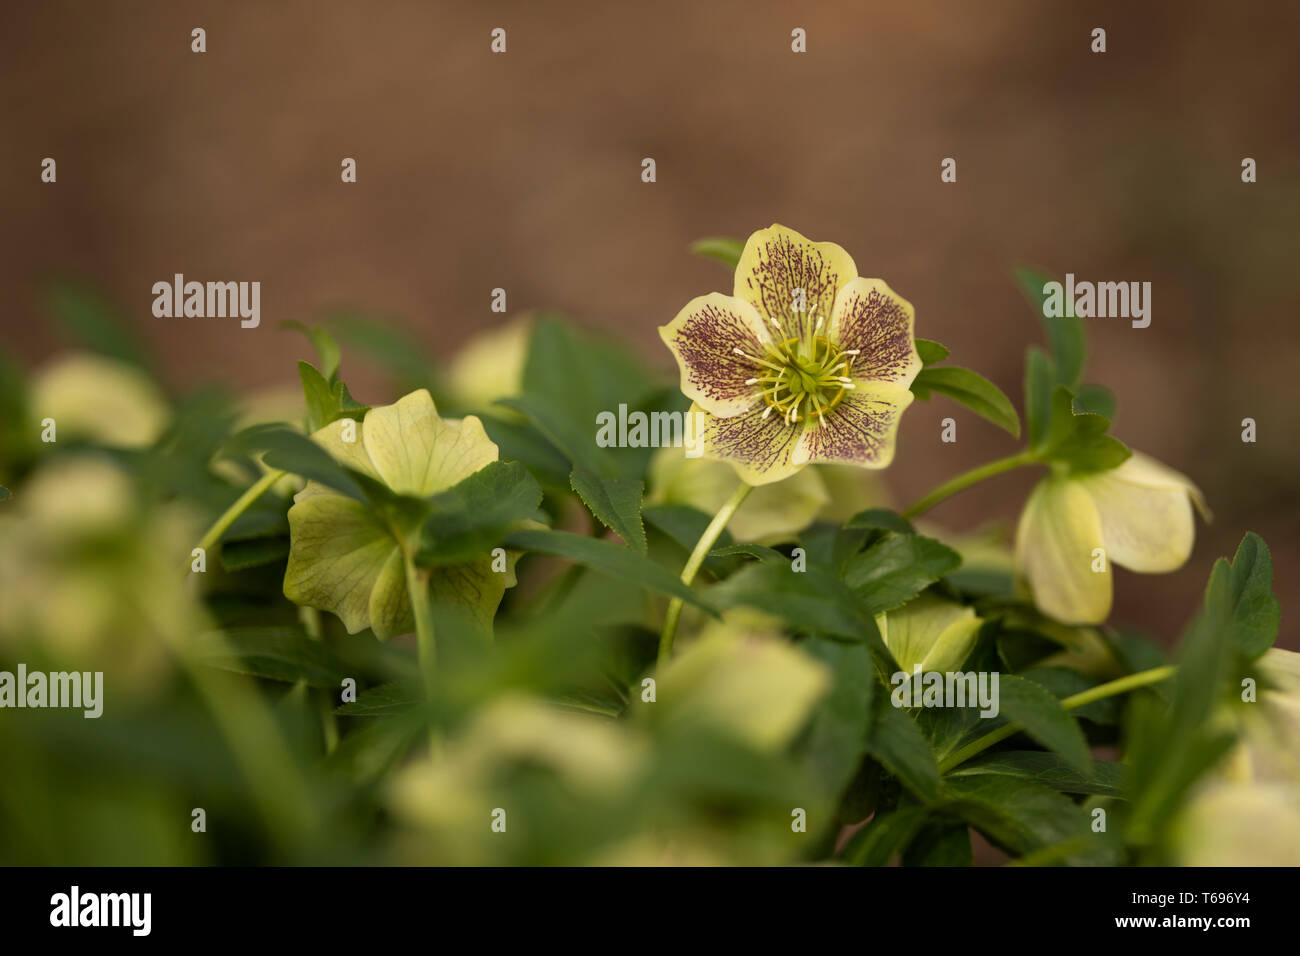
805 362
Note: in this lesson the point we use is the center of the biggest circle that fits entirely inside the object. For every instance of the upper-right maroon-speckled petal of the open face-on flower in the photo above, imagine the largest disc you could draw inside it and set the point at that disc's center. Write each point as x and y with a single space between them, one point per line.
874 321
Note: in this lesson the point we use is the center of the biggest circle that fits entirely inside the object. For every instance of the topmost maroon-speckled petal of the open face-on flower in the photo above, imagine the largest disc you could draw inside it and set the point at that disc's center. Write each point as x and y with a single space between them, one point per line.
778 262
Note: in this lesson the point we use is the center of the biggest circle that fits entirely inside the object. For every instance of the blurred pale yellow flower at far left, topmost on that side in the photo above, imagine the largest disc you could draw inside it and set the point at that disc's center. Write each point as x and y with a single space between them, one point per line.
99 400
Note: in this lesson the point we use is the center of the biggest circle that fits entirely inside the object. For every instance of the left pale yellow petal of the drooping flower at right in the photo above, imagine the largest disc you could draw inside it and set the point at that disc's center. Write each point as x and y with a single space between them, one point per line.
1055 550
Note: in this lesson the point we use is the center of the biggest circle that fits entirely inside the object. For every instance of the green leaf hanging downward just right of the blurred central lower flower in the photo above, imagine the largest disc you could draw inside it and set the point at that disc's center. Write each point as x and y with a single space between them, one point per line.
838 738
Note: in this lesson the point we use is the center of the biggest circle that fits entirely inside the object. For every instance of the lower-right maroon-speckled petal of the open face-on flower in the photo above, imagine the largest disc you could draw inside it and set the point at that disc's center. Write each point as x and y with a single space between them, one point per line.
859 431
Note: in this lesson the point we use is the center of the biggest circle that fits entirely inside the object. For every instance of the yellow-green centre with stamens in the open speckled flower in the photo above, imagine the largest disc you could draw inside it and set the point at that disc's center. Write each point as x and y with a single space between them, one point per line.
804 378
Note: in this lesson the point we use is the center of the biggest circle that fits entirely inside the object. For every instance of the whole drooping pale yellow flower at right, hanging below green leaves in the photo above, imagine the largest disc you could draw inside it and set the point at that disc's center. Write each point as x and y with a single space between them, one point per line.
1138 516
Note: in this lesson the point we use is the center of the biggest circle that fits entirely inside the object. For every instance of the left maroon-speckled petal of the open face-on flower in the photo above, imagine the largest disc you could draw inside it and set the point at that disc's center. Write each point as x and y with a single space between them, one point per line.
704 339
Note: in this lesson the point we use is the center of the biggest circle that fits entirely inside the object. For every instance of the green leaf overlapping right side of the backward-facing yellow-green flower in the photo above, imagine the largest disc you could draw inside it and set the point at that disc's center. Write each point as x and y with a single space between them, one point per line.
474 516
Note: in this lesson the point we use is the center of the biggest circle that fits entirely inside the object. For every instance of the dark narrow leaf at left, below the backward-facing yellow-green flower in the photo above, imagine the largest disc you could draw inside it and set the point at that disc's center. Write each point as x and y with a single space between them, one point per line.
275 654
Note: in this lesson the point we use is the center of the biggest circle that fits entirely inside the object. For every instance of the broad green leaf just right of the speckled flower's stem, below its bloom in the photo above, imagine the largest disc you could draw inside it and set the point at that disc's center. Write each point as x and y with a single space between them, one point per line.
811 602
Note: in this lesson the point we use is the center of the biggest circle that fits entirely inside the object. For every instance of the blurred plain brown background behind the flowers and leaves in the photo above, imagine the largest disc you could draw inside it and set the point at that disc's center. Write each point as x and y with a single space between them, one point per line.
523 171
